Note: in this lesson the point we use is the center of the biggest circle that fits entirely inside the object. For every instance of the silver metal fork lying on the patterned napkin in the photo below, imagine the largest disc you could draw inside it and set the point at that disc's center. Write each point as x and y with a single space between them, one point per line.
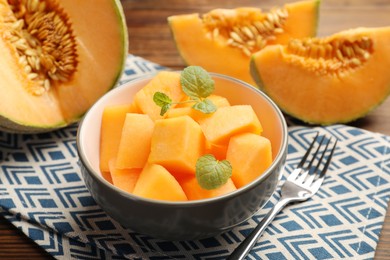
300 185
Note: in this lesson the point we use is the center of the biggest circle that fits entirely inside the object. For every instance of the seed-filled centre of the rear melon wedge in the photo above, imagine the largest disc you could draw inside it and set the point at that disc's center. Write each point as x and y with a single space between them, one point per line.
250 36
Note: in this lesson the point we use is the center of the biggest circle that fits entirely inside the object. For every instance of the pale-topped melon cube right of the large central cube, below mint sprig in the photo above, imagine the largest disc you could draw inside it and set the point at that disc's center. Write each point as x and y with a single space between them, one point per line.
229 121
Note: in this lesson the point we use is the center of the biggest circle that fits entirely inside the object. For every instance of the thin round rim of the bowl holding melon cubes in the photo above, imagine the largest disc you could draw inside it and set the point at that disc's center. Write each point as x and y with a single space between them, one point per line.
98 177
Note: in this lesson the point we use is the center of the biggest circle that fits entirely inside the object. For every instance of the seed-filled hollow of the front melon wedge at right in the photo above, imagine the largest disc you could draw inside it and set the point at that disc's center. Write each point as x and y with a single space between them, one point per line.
330 56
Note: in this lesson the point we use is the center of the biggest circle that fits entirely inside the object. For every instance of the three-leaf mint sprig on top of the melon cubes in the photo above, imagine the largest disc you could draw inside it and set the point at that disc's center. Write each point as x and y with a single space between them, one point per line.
197 84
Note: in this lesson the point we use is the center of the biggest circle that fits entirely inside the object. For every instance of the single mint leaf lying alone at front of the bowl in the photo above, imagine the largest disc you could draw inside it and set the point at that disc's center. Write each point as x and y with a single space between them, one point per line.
212 173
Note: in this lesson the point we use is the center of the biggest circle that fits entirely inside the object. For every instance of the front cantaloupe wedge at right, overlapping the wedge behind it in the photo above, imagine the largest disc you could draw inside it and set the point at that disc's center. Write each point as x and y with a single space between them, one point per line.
329 80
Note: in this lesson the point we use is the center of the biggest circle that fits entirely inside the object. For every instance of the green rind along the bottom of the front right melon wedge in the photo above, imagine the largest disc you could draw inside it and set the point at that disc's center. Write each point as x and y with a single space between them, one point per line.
259 82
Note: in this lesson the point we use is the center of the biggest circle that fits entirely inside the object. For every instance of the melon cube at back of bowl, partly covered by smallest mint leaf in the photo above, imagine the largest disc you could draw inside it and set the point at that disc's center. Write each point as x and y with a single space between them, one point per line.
166 82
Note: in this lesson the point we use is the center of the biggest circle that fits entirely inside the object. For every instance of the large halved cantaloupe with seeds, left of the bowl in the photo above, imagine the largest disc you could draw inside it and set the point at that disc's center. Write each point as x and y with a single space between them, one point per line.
57 59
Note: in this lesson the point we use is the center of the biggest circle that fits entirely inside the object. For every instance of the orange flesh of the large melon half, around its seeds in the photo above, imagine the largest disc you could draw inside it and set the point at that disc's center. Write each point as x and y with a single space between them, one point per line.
98 71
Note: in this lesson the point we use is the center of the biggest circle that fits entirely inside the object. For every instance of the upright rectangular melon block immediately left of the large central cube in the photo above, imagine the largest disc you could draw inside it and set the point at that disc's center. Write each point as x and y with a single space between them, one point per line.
134 146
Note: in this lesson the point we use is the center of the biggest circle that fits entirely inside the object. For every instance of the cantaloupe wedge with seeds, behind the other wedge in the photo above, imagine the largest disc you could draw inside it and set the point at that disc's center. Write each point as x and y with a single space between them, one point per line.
222 40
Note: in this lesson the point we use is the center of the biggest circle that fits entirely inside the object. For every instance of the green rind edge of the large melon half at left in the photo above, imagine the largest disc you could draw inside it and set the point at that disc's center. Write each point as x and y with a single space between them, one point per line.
14 126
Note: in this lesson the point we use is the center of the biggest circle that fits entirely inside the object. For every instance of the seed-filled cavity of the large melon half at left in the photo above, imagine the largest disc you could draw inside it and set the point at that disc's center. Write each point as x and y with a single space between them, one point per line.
42 35
